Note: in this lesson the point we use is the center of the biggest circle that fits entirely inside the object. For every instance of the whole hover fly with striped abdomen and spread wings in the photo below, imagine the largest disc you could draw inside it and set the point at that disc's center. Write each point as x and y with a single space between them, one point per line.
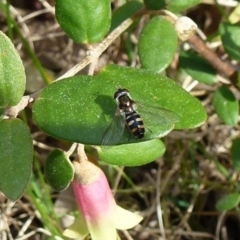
139 118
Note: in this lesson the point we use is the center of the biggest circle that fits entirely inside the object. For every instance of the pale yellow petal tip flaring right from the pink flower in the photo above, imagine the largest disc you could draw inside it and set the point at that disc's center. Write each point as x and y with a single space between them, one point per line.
125 219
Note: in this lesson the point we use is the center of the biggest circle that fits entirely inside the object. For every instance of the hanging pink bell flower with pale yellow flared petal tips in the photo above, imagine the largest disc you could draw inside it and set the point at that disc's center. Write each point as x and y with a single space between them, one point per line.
100 216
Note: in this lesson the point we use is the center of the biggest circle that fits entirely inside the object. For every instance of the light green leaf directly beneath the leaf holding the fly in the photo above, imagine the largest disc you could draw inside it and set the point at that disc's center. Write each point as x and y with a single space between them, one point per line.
144 152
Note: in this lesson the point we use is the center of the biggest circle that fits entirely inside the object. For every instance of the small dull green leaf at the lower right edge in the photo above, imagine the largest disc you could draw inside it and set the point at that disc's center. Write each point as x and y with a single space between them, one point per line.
228 202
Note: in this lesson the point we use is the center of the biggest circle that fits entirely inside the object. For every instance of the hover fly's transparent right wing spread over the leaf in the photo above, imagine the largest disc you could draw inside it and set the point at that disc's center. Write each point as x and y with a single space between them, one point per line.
157 121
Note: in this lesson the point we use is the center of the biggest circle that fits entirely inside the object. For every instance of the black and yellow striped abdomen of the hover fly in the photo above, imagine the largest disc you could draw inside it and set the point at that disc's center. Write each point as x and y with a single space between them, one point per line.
135 124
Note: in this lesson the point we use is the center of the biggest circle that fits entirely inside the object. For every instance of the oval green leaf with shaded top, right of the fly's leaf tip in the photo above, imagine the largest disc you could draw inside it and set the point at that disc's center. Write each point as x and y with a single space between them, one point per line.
226 105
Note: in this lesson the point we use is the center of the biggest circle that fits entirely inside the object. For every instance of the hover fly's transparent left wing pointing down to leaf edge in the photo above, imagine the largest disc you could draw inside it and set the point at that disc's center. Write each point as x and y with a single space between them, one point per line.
115 130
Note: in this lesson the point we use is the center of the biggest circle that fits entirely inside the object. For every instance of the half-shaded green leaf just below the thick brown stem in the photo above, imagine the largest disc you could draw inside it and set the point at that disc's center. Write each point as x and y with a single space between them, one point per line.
197 67
